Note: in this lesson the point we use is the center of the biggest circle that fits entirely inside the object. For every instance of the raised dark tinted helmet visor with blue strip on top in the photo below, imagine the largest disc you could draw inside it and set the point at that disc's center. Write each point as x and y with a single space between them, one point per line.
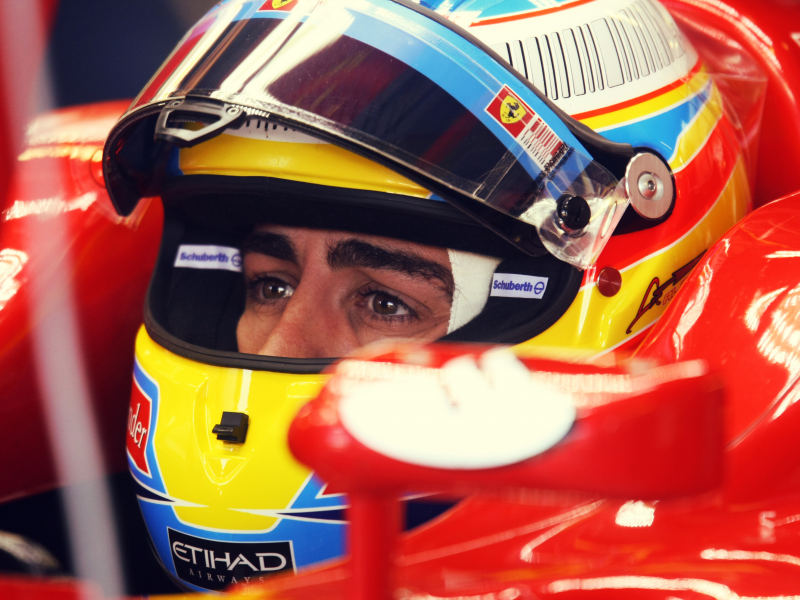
393 84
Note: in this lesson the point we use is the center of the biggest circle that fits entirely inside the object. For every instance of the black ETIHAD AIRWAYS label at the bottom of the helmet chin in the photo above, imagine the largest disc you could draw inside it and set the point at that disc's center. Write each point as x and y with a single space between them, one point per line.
214 565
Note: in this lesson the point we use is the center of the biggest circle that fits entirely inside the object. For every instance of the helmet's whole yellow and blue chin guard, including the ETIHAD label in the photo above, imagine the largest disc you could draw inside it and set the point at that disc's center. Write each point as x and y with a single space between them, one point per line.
220 513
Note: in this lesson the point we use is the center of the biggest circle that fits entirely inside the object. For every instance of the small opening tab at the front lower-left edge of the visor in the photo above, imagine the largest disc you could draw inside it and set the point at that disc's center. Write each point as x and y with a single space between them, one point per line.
188 122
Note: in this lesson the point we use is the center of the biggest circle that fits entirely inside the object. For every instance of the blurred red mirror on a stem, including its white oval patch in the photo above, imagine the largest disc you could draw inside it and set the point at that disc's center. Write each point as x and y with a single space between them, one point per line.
394 421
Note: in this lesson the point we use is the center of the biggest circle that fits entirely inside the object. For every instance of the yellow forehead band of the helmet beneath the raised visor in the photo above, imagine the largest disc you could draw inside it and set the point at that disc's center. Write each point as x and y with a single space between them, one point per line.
287 154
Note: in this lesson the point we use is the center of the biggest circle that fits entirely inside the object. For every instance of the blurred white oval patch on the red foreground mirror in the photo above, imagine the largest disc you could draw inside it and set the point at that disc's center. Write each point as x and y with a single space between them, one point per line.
461 417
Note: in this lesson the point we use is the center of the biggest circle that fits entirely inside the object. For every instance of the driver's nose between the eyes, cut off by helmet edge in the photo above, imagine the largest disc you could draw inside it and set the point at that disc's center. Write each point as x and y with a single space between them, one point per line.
311 326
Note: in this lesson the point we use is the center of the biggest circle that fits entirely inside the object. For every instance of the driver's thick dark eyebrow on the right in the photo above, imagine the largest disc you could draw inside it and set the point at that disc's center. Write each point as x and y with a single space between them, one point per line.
357 253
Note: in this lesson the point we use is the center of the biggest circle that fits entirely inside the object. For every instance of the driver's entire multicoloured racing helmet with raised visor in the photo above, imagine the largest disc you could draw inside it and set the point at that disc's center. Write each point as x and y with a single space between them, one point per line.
441 124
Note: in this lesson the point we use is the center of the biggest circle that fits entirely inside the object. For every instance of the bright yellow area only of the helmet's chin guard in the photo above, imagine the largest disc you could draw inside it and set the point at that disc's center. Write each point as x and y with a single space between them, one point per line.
222 485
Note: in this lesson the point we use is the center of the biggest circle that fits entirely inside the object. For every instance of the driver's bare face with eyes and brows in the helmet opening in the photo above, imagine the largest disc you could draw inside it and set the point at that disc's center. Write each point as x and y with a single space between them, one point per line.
318 294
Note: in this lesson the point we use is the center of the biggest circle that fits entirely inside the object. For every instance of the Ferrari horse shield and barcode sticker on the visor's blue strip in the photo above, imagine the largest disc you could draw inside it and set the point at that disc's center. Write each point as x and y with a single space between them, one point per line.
539 140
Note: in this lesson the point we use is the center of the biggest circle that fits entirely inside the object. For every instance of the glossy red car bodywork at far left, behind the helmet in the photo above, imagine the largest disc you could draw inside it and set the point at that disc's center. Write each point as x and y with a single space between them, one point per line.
58 219
